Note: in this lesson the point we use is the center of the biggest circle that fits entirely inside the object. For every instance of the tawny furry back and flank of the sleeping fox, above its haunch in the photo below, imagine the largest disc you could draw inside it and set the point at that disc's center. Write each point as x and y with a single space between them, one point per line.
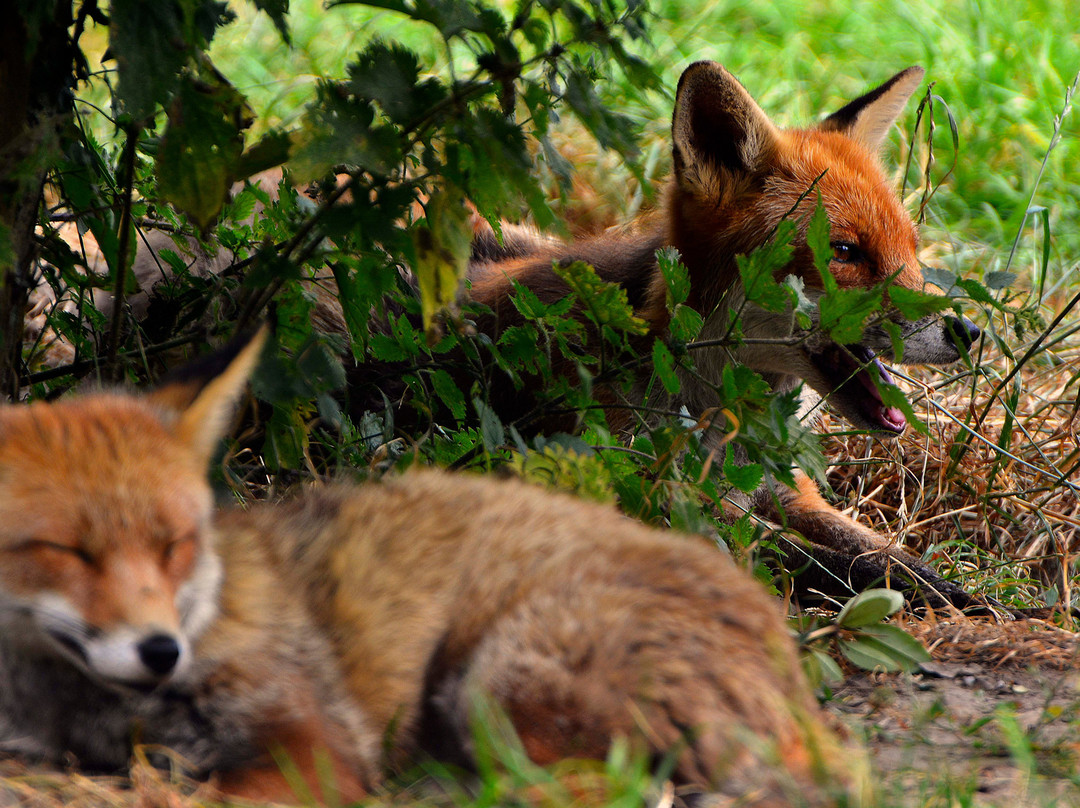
410 577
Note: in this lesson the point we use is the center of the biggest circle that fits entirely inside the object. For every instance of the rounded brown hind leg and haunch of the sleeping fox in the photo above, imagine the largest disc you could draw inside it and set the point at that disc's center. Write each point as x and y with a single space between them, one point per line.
713 681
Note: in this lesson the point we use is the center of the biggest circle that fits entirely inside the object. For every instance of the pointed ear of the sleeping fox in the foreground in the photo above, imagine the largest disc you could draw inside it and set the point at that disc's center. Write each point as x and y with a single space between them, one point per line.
201 398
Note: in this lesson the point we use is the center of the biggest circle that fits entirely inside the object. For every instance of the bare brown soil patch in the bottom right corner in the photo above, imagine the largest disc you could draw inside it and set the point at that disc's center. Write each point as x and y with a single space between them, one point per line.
993 721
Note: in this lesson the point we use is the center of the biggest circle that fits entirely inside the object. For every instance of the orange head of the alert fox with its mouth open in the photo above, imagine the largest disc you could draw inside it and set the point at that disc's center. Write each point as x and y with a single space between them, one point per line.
738 176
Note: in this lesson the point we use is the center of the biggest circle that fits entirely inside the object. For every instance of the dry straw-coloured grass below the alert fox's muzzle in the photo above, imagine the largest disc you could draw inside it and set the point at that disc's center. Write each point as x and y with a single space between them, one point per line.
1002 506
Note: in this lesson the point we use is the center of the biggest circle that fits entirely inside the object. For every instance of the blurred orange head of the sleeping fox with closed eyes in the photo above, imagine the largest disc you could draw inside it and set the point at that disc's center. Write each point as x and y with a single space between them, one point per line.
106 534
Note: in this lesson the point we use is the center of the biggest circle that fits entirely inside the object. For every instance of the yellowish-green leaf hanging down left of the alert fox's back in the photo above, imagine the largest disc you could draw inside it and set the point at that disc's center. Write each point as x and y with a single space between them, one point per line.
442 252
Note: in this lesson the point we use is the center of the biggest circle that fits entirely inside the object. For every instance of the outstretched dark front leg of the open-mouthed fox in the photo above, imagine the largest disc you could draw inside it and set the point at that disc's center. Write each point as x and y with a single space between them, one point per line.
840 550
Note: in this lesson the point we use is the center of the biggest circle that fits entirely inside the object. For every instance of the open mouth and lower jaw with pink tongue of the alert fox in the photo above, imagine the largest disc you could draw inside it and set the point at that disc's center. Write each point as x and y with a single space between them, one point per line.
847 370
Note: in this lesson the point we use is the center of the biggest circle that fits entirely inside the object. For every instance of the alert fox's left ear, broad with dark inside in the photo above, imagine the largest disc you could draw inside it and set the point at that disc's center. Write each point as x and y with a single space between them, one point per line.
718 127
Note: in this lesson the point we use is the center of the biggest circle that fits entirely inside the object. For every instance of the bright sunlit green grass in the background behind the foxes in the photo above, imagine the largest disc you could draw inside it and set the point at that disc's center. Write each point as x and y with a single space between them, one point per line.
1003 70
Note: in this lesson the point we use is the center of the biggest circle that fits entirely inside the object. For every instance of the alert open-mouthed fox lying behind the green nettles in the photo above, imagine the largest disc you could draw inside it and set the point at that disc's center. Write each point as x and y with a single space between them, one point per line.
737 176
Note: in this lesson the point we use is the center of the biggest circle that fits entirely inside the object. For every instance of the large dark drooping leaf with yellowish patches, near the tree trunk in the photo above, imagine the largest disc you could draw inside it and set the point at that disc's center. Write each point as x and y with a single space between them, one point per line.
201 147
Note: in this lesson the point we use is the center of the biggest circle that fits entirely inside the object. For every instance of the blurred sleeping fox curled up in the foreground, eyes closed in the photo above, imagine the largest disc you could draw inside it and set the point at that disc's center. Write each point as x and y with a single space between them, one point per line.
361 627
